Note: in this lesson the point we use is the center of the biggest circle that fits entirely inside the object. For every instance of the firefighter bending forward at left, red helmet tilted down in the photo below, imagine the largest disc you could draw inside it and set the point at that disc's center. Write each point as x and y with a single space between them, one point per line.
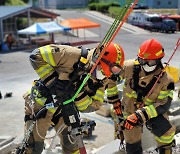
61 69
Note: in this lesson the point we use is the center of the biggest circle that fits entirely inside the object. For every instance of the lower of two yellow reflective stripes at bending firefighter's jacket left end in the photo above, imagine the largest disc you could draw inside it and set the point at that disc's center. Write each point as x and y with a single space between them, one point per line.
44 70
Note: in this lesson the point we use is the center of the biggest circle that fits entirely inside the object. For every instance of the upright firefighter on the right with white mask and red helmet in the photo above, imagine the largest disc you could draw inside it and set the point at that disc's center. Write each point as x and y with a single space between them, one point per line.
140 75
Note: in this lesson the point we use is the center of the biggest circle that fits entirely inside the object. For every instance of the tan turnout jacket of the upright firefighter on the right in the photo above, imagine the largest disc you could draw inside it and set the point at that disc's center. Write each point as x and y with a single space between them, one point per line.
135 88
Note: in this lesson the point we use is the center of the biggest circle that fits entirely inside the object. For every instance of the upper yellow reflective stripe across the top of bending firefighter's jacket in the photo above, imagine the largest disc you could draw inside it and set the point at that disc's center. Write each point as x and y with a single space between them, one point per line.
47 55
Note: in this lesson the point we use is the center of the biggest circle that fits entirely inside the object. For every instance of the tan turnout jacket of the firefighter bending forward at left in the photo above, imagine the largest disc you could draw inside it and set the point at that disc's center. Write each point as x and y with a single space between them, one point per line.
62 60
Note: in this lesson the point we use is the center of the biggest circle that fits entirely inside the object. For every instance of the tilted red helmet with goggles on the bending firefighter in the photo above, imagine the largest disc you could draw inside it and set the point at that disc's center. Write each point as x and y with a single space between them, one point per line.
112 60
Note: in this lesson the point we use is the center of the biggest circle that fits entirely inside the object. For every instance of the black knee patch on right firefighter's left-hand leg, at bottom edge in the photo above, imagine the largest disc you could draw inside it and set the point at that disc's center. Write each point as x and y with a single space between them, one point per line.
135 148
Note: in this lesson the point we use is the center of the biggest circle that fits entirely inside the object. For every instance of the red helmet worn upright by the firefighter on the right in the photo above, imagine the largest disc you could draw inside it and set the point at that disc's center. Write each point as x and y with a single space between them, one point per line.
151 50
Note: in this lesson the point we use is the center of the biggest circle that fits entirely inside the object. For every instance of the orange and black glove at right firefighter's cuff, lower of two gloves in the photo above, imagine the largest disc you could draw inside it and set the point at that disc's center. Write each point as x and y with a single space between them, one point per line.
132 121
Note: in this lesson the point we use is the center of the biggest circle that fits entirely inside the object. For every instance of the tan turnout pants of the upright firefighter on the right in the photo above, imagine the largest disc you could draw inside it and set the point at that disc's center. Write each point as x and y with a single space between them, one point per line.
164 140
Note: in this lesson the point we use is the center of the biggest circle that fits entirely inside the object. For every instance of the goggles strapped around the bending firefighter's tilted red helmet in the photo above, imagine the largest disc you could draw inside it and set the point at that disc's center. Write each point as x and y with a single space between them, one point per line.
113 67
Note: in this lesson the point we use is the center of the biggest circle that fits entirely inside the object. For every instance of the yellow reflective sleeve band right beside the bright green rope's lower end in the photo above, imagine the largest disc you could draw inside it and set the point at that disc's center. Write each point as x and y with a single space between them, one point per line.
82 105
